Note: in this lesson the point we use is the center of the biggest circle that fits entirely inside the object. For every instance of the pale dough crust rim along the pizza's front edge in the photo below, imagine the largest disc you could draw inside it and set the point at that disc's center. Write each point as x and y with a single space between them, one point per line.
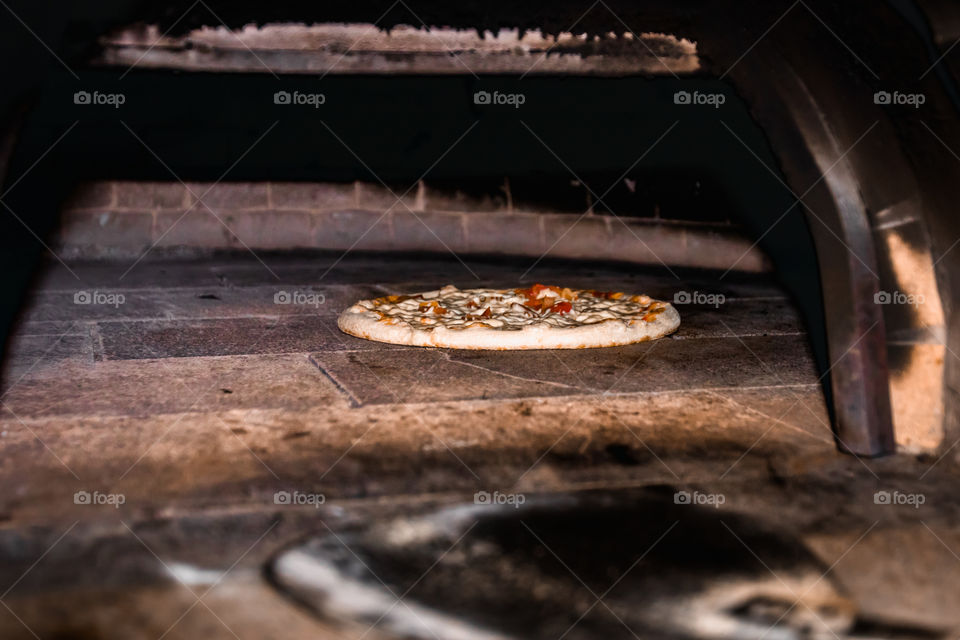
609 333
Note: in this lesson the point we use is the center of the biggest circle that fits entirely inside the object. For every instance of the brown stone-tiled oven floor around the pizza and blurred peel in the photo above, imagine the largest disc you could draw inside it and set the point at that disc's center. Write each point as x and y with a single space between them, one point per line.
184 388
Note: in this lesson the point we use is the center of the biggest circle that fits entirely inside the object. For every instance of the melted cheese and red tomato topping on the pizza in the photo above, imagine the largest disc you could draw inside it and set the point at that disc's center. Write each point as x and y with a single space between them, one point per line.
510 309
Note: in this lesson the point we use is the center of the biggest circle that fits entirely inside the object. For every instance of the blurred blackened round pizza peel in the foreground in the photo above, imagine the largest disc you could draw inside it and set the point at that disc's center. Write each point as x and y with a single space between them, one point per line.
658 563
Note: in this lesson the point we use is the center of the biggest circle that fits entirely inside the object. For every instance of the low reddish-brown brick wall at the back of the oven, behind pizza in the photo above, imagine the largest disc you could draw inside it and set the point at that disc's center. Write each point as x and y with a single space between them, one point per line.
117 219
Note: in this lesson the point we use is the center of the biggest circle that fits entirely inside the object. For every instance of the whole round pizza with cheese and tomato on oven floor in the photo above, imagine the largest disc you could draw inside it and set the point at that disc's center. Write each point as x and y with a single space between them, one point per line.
538 317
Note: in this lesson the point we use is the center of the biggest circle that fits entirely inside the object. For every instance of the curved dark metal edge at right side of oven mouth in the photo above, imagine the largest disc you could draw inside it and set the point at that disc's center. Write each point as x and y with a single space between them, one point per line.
814 161
